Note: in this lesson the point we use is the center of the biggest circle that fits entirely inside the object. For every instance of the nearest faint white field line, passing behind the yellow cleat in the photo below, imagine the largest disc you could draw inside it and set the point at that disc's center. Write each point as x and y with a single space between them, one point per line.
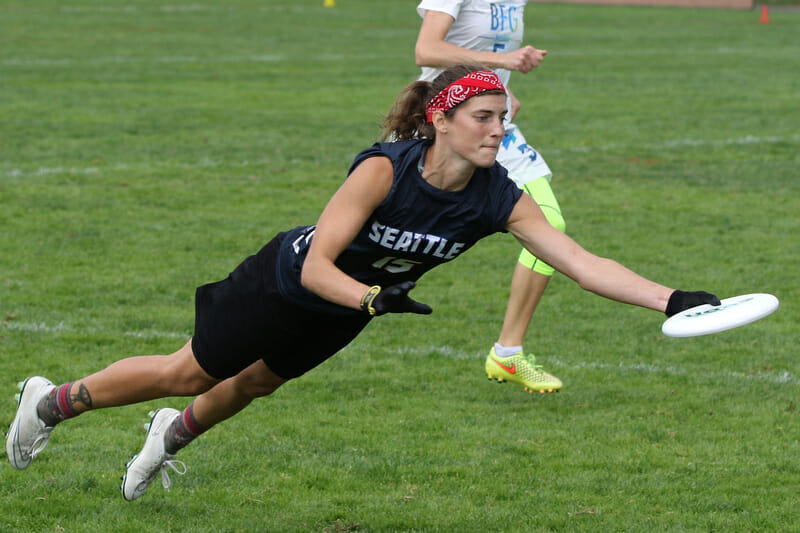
777 378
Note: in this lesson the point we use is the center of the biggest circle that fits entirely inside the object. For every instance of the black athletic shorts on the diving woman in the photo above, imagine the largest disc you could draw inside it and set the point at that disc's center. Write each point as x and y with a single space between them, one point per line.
244 318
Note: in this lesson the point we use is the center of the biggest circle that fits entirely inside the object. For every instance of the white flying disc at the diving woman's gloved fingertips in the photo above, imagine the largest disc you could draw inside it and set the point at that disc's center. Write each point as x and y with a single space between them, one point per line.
706 319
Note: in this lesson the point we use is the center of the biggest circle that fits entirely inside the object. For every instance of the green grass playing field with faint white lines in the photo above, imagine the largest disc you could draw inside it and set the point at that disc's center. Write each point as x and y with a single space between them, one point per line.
147 148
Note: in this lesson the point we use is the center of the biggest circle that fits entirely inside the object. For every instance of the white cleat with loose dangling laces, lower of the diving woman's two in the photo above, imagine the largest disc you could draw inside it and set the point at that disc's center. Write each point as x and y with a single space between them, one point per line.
144 466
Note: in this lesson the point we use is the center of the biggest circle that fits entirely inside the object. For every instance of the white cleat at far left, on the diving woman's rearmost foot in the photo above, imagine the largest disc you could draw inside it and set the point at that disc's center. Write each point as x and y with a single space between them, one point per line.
28 435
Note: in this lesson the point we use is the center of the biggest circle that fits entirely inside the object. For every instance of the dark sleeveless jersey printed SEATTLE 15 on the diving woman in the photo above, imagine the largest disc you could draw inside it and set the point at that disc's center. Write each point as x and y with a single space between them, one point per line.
416 227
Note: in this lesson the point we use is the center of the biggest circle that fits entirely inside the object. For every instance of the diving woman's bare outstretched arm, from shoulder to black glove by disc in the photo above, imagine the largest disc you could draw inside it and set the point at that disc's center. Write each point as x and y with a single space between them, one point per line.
596 274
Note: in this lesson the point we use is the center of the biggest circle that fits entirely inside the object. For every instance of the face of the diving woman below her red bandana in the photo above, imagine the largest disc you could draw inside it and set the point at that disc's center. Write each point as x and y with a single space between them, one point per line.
476 130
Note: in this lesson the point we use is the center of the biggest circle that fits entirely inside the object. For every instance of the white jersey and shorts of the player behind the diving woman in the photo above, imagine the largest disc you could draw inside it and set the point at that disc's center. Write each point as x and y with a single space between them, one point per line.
487 26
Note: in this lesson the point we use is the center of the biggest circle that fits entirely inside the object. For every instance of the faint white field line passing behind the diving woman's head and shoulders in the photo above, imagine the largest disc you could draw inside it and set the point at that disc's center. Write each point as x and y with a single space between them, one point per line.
210 163
